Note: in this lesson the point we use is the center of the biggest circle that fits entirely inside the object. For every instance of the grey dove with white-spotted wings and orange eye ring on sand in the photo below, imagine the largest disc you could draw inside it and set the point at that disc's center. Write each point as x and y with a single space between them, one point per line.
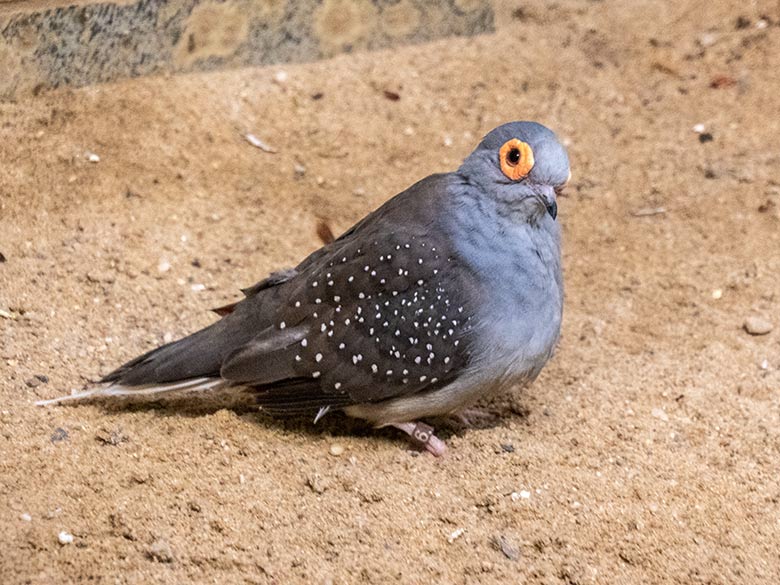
447 294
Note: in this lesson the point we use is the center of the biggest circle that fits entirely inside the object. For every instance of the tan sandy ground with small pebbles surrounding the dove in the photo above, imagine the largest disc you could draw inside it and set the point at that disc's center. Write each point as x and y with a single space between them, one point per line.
647 452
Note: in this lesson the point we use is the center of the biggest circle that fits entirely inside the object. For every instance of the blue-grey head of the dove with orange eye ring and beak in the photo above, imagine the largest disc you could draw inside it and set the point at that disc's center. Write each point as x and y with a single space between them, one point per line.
521 165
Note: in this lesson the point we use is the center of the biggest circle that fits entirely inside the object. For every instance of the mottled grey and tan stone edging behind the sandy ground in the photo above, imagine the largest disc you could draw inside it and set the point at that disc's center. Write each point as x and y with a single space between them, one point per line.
52 43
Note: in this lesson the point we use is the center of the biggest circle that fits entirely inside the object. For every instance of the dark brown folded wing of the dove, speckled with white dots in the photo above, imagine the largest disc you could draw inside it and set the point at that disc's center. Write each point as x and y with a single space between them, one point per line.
378 314
